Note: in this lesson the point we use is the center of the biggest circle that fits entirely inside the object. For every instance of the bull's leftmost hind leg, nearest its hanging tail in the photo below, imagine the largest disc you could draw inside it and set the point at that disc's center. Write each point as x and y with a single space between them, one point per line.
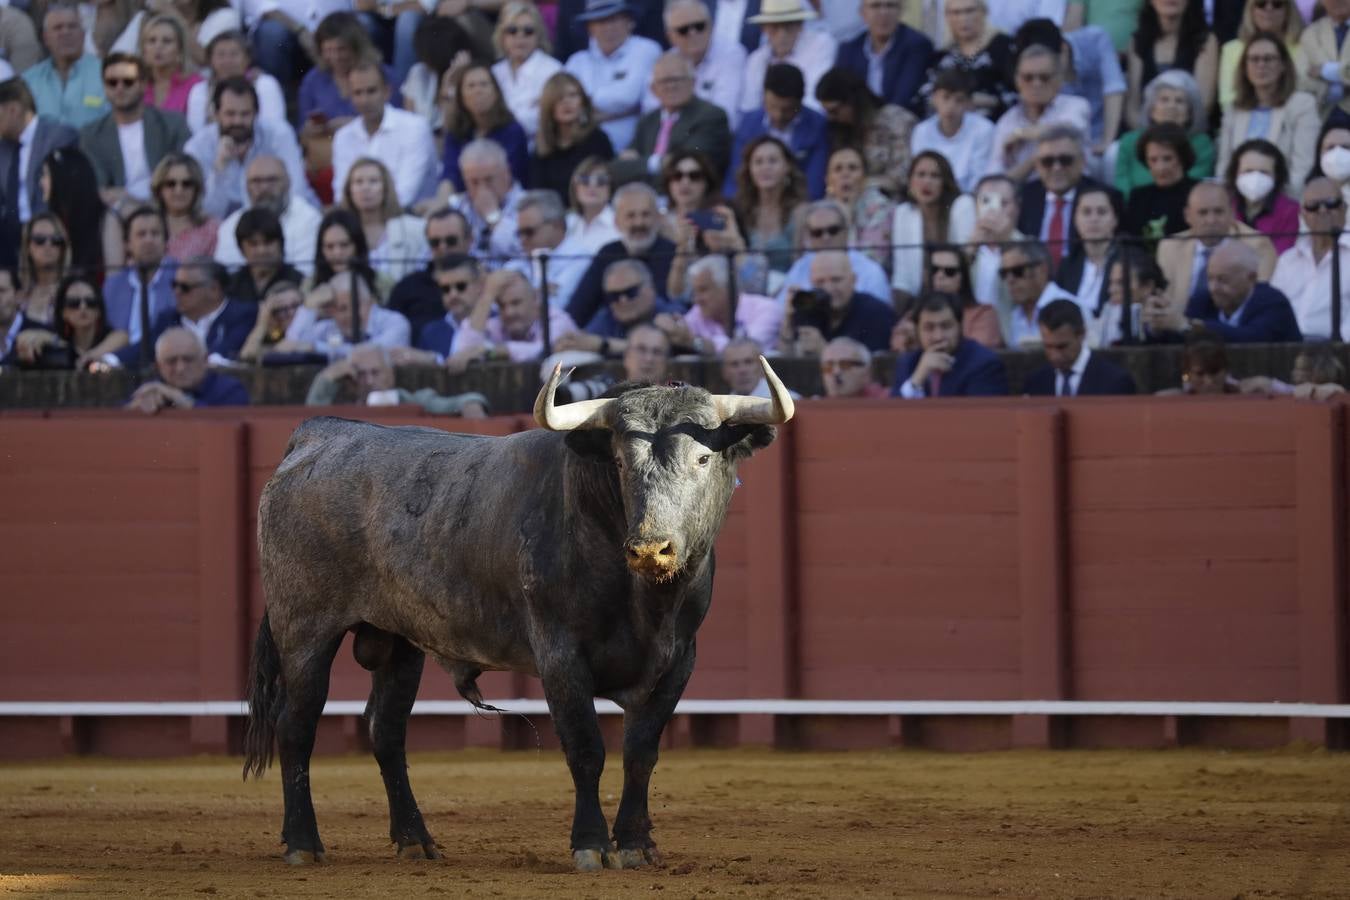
307 692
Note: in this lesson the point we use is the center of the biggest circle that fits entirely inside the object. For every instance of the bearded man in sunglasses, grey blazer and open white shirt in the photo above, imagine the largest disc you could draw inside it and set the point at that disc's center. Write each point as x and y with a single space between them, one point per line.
126 145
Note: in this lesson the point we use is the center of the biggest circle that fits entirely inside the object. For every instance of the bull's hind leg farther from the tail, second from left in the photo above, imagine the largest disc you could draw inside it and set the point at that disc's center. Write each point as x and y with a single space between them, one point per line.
394 690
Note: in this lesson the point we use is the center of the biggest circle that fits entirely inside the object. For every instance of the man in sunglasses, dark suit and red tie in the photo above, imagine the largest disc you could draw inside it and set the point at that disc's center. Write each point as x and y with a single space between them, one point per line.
1048 206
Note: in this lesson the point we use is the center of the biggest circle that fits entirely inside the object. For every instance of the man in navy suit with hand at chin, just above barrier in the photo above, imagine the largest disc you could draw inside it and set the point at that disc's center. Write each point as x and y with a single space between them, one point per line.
948 365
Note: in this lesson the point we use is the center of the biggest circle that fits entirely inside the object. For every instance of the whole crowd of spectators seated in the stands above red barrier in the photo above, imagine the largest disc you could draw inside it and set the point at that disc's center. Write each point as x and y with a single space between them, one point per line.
199 186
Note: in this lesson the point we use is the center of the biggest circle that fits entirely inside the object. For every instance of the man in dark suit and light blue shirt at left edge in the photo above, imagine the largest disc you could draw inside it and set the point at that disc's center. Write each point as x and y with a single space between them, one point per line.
26 140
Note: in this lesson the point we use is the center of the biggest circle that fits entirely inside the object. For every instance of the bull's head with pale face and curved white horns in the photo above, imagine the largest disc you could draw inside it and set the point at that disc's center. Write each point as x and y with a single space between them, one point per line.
676 451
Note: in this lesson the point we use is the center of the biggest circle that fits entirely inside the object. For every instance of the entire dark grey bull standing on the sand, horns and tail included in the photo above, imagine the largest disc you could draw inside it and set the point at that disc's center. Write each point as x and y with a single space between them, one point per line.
584 559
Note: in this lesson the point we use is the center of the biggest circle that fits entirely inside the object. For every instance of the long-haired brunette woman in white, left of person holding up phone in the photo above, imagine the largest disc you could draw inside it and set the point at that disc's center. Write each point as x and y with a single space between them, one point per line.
935 211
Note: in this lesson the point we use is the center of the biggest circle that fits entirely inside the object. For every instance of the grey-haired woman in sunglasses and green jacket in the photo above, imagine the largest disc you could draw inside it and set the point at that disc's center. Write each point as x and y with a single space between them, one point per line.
1174 98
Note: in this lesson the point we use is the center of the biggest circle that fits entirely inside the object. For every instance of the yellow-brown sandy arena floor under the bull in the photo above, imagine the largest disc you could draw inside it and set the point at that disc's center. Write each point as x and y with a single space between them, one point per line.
745 824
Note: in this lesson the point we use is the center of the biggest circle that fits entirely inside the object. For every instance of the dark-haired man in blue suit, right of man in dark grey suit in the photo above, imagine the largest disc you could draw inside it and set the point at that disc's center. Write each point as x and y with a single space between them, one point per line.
785 118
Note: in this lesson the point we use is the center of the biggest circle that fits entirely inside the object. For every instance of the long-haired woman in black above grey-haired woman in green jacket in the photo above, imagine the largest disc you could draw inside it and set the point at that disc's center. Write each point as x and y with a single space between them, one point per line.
1172 34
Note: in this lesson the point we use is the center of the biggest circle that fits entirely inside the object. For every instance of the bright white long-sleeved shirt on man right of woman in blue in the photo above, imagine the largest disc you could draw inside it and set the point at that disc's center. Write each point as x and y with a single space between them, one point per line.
403 142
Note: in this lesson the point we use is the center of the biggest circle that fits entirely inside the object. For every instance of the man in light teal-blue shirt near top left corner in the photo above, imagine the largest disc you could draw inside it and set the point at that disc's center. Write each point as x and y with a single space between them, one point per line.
67 86
